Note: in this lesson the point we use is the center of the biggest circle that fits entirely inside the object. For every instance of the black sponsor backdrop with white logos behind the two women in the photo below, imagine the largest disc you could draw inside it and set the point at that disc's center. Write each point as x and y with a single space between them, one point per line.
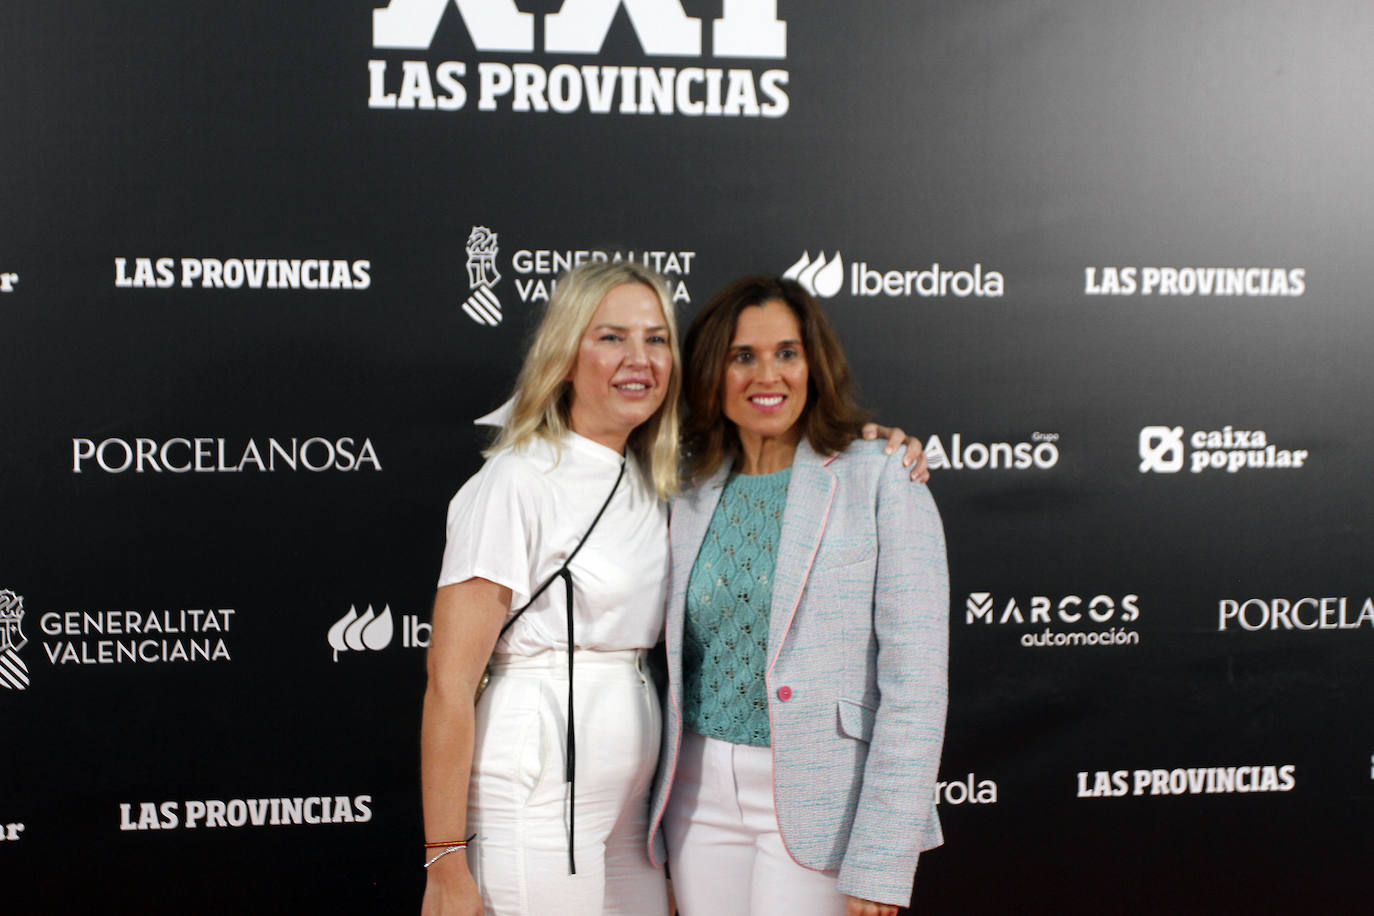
262 266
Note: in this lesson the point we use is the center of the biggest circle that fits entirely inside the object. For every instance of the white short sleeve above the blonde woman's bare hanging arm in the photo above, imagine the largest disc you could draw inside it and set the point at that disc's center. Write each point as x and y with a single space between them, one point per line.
494 527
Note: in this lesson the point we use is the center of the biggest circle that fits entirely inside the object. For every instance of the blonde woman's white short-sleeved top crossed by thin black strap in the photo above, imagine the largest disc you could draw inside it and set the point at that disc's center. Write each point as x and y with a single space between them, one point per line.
519 518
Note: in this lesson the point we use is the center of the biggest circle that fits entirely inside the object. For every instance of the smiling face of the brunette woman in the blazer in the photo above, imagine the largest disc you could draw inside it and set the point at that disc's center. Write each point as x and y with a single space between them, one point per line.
765 391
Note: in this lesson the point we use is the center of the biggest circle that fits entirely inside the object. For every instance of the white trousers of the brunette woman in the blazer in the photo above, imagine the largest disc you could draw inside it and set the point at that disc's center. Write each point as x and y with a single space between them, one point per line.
725 849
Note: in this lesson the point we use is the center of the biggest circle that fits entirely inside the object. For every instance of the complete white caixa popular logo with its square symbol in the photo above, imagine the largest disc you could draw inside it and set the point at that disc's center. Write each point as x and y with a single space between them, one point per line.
1226 450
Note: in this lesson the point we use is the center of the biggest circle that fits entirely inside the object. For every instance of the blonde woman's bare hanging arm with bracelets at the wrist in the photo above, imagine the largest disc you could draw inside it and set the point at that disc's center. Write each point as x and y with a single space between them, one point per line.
468 621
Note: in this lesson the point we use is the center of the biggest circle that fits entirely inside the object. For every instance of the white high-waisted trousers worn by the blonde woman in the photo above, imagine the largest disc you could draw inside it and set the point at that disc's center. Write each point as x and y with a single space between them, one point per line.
519 801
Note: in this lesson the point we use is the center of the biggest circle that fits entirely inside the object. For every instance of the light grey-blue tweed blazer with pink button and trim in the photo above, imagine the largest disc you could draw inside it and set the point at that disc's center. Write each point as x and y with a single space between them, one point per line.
857 668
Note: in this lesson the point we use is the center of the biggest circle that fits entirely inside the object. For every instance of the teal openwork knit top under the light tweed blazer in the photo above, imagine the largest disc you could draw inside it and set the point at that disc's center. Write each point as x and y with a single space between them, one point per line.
729 595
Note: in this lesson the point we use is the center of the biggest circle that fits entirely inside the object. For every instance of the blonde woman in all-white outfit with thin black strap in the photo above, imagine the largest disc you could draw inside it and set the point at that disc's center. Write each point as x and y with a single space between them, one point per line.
548 779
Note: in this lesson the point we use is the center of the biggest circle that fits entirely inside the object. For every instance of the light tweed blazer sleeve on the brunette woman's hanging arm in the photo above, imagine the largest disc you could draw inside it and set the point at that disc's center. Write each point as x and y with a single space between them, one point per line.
897 818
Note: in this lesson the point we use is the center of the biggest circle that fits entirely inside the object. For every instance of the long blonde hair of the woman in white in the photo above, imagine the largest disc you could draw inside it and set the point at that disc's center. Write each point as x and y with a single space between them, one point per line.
543 393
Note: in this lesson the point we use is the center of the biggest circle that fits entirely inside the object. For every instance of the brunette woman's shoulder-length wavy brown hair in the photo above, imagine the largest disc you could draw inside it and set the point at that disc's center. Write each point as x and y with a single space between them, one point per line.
832 420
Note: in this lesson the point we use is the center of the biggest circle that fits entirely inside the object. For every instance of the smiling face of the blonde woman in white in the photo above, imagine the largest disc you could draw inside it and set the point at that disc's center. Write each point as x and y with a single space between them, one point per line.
623 367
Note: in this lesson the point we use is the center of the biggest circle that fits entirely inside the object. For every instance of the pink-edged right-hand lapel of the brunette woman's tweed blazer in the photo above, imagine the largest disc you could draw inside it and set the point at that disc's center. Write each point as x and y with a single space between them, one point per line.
810 494
